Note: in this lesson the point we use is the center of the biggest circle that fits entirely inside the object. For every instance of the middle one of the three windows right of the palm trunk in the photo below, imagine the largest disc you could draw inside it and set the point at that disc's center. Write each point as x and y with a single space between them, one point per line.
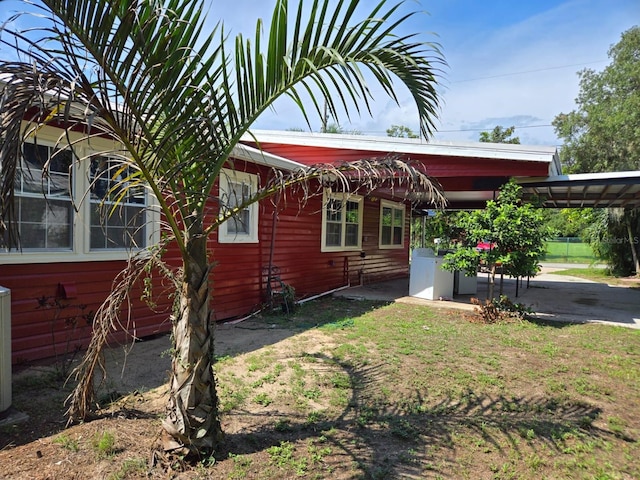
341 222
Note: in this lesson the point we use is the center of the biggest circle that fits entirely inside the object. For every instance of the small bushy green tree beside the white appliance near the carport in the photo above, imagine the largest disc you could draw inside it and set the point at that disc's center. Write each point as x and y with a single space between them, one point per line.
515 231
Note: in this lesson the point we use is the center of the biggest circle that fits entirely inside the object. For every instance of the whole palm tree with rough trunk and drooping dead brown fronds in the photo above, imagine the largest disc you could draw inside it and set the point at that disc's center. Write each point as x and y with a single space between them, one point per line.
149 75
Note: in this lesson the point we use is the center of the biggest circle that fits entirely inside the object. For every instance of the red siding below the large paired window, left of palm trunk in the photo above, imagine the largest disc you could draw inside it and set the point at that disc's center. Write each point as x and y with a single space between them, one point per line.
42 330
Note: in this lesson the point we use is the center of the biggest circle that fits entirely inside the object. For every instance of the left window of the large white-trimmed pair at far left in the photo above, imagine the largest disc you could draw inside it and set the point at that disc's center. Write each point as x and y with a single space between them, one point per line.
43 198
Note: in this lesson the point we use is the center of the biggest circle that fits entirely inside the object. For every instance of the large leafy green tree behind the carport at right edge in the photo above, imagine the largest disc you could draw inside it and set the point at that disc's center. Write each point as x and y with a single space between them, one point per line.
601 135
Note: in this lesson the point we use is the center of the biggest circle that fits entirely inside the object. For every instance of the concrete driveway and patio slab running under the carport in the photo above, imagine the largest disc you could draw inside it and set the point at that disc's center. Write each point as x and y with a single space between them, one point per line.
552 297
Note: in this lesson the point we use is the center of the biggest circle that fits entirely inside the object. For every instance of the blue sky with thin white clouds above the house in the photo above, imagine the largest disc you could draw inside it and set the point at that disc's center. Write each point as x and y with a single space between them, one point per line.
509 62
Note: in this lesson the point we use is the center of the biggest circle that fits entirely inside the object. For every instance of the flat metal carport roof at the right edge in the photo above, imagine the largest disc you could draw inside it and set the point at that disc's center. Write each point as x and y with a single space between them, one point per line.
613 189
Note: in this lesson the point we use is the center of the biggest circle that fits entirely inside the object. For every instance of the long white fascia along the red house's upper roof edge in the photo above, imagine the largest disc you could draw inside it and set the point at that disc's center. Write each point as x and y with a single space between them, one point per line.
531 153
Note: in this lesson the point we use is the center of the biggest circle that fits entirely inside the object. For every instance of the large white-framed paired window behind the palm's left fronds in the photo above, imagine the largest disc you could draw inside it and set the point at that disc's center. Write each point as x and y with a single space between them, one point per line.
75 204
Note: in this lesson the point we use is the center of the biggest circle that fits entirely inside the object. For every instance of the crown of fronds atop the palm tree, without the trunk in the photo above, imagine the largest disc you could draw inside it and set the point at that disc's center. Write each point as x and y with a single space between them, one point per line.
178 97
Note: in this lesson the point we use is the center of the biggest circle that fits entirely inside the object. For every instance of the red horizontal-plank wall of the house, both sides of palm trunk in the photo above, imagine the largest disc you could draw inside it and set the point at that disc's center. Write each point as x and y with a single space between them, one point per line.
237 280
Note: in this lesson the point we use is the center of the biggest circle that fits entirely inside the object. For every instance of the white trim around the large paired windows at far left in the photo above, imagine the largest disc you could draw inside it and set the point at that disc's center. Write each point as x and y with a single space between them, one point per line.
80 251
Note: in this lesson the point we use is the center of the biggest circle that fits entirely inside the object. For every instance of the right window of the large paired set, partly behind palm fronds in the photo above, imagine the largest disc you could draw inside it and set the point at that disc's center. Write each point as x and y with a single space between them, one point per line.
118 206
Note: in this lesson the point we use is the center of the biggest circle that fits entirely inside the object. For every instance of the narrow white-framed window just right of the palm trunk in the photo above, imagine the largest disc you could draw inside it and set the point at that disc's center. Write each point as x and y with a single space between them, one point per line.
235 189
